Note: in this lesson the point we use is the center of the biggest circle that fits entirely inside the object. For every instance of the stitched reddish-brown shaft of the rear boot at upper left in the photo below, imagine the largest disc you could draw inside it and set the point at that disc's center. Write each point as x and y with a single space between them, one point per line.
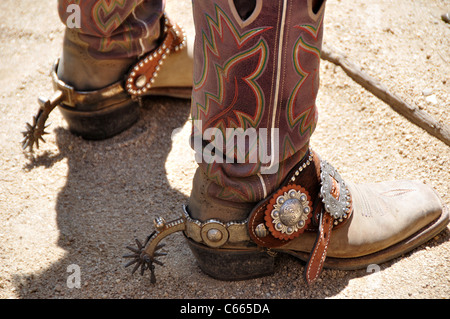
113 29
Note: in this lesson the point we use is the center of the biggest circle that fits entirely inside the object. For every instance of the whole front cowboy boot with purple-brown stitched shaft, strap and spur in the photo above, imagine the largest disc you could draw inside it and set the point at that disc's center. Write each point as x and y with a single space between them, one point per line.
259 69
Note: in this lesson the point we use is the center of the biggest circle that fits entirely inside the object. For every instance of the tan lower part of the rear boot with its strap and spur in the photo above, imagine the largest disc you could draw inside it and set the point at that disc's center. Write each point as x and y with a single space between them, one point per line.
99 90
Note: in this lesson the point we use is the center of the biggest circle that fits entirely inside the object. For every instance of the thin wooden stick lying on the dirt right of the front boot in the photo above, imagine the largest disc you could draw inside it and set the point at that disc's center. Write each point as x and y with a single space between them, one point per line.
412 113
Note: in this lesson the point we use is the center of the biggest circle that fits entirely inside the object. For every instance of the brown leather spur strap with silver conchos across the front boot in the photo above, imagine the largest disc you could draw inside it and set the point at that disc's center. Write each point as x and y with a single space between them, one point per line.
314 198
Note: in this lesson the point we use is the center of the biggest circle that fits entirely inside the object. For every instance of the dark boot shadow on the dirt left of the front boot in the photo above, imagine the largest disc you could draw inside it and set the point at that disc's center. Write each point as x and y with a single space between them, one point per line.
114 190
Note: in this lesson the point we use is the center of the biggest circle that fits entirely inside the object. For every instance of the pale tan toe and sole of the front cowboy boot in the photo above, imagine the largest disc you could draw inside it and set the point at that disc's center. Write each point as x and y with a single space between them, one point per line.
389 219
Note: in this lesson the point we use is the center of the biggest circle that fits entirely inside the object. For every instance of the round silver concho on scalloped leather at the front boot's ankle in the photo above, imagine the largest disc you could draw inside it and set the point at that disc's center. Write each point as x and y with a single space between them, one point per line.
290 212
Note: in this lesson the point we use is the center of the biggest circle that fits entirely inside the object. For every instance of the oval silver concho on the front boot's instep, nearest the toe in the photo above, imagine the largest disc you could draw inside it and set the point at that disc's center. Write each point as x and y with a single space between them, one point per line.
338 209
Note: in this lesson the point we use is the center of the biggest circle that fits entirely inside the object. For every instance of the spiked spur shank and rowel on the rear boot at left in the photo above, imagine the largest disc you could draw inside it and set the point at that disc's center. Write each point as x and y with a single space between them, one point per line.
34 132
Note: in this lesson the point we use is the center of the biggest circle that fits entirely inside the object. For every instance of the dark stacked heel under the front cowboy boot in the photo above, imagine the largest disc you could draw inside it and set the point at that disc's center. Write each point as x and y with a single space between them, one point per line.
232 264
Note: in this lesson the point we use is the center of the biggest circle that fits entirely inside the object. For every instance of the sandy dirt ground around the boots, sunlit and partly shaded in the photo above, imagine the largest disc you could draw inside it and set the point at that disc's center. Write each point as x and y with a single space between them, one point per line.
81 202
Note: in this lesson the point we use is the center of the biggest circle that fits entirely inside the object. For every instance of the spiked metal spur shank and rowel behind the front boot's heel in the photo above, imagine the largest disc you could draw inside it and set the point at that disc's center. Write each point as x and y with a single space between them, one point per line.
144 256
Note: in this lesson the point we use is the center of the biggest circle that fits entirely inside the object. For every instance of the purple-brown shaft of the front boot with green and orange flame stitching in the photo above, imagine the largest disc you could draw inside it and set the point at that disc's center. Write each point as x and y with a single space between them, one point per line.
256 67
